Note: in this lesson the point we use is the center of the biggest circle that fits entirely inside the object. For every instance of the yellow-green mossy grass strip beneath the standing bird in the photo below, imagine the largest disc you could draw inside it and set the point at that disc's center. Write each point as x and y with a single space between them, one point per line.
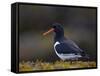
40 65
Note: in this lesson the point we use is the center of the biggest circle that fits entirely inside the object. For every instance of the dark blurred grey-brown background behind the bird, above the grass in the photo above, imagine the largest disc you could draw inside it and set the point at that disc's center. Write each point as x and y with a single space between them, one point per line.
79 25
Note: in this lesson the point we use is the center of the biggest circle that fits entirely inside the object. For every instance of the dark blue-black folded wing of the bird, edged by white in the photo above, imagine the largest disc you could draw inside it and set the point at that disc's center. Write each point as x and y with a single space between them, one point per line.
66 48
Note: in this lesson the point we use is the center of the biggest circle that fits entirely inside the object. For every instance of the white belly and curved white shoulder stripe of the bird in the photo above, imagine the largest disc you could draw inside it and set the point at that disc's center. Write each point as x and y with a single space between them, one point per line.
66 56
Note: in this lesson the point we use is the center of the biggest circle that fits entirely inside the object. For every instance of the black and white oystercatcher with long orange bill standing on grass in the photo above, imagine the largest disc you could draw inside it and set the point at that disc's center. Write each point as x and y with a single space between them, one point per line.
65 48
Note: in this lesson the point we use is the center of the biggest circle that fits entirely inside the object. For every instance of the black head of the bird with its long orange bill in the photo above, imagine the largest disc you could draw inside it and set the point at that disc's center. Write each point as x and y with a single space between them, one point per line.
56 27
